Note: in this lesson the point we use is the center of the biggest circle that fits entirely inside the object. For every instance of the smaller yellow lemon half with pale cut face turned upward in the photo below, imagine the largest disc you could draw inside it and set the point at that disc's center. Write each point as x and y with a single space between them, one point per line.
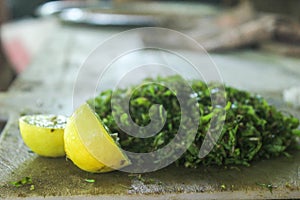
44 134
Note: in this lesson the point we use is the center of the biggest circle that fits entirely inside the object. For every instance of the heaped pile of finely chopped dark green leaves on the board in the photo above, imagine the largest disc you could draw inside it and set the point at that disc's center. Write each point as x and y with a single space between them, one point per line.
253 129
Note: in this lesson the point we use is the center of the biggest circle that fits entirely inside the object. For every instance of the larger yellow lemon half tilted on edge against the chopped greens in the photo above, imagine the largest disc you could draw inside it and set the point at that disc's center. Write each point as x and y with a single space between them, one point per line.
89 145
